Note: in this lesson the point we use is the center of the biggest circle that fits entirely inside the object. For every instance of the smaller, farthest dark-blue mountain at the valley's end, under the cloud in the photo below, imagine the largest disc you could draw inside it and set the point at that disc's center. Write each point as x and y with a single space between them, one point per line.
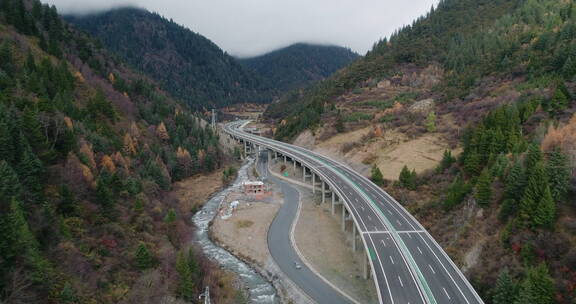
299 65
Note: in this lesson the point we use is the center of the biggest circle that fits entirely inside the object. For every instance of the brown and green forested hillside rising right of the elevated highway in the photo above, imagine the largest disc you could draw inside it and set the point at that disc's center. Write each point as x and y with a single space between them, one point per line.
495 81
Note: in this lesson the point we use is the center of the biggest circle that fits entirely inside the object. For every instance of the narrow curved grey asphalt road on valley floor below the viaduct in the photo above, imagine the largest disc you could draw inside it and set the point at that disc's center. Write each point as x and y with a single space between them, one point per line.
281 248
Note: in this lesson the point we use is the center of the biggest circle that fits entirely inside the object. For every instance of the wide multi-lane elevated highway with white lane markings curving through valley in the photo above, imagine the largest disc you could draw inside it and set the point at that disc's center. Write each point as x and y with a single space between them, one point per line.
408 265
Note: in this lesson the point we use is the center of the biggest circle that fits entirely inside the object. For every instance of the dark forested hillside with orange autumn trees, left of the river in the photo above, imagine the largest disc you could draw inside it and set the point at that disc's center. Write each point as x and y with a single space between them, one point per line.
88 150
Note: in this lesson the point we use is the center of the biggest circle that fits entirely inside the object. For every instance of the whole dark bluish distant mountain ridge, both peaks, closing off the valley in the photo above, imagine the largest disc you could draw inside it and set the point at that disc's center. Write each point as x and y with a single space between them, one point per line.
196 70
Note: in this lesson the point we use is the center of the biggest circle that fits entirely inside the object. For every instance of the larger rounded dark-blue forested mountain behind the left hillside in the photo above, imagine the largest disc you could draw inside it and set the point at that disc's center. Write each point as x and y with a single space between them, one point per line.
187 64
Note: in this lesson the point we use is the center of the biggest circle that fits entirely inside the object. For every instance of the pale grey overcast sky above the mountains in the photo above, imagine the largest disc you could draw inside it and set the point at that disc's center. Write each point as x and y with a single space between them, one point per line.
252 27
